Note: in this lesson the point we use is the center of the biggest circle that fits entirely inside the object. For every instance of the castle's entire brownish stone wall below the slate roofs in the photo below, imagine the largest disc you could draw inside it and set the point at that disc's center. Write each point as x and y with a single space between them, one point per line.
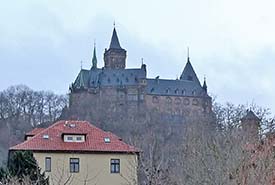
114 104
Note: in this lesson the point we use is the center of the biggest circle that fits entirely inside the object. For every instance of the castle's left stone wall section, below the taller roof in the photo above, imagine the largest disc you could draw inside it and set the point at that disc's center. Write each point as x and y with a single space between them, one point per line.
111 103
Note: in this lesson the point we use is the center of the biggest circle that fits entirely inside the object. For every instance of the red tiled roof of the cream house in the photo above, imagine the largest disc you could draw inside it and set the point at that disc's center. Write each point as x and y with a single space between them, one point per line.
94 139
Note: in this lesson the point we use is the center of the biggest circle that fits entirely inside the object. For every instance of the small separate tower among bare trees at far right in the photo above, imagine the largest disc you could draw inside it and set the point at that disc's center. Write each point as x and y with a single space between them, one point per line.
250 124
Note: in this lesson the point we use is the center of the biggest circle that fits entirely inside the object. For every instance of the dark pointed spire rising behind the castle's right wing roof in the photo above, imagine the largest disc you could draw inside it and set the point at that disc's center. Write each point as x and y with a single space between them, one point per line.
188 72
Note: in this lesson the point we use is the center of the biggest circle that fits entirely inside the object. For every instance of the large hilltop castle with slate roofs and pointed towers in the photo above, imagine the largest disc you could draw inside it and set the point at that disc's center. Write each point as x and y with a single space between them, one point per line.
115 91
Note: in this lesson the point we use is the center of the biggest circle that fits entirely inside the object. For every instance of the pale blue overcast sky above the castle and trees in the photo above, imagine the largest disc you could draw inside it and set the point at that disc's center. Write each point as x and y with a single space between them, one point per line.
232 42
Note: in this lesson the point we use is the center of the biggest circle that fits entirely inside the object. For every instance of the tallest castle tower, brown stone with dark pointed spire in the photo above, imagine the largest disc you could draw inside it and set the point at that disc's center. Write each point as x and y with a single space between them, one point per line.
115 56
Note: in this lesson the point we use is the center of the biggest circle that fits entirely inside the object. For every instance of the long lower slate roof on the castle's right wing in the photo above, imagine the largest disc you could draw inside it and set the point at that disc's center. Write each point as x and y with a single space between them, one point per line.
174 87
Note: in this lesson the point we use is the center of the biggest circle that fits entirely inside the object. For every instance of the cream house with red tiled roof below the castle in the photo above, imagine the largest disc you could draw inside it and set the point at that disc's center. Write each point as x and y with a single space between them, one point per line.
76 153
